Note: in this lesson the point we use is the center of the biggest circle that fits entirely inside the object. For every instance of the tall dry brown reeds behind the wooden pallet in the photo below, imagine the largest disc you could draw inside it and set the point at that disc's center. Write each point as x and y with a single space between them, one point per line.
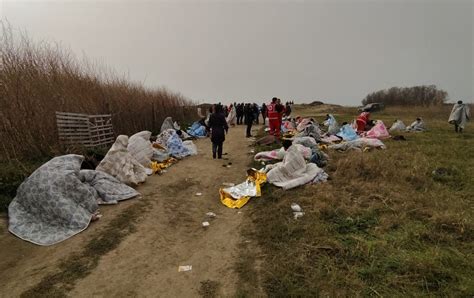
39 78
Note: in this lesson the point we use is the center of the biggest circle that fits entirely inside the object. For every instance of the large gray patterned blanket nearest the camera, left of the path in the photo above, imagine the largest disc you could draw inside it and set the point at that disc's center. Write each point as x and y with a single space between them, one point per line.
58 200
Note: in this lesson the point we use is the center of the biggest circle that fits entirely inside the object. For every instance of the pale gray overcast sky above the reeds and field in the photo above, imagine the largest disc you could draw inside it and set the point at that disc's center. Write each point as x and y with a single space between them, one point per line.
335 51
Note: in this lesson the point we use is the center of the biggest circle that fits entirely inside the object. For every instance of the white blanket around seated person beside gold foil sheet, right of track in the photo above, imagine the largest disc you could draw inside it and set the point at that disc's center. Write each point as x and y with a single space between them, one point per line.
292 171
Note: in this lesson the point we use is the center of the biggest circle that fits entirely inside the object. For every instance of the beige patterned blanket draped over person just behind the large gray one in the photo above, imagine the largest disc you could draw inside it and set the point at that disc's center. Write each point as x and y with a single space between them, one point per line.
119 163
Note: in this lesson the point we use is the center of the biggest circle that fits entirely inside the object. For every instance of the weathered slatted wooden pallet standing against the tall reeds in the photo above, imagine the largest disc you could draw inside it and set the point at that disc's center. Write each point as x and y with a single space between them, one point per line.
85 130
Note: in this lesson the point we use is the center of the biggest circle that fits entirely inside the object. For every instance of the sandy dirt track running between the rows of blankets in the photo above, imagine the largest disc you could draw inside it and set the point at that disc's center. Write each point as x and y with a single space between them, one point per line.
168 234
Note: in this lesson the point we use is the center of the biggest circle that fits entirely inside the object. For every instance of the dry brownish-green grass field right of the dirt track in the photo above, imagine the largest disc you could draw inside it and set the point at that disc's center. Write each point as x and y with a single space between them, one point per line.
385 224
